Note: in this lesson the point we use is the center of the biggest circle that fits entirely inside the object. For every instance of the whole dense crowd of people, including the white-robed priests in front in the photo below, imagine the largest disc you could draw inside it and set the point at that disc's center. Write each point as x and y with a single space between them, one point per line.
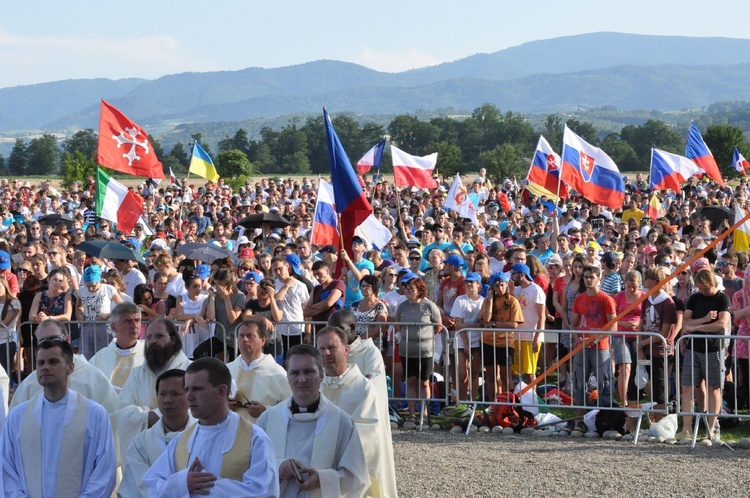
483 306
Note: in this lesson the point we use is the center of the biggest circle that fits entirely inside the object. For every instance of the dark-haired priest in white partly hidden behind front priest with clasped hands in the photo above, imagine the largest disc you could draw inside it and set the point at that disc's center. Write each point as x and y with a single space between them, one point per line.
148 446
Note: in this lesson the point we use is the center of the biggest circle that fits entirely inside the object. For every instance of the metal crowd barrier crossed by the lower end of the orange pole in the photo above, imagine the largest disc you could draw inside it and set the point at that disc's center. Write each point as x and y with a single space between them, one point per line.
497 361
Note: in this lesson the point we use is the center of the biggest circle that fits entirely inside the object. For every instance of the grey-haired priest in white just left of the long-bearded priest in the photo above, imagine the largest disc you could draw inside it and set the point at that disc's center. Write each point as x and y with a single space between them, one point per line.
125 351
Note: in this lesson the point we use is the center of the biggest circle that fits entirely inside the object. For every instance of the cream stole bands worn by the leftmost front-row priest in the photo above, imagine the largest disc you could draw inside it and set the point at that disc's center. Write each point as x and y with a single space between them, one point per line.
70 460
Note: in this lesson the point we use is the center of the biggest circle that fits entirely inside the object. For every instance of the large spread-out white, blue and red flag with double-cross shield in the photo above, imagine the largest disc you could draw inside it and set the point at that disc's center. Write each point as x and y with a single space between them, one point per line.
591 172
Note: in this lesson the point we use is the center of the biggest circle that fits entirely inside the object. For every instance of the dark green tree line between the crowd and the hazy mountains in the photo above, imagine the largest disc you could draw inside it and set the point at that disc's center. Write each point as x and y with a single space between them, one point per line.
503 143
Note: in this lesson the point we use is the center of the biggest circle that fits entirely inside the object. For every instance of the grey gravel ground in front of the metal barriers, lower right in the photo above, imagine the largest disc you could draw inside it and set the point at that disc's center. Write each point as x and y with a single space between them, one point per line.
440 464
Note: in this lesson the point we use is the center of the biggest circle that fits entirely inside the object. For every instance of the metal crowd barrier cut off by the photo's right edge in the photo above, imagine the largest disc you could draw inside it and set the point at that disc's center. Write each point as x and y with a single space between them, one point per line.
705 366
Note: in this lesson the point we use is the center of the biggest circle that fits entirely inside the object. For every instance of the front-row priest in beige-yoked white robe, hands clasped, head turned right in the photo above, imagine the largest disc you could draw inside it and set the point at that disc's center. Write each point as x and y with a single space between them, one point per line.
223 454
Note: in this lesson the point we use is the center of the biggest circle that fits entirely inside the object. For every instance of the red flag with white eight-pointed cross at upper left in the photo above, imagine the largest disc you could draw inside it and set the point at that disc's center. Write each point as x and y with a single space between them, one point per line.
124 146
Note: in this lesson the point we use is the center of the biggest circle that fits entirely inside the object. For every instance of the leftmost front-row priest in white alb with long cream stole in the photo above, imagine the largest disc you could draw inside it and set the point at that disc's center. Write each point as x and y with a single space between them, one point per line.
59 443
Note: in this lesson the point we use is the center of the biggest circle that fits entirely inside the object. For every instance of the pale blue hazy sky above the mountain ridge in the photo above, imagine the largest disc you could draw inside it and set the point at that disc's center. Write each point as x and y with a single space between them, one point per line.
50 41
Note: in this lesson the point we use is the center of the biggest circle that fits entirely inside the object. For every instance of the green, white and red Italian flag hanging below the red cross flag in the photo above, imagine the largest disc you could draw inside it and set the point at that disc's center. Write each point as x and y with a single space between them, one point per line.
114 202
